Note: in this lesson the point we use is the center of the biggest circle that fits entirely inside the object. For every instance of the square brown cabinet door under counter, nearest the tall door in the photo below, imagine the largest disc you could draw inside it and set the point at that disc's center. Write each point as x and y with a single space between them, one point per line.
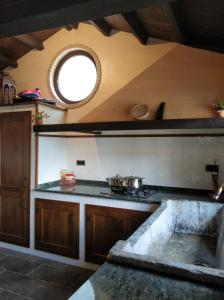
57 227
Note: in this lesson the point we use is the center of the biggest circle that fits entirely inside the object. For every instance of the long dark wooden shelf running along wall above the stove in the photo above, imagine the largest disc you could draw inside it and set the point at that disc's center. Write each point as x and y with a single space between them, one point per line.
138 128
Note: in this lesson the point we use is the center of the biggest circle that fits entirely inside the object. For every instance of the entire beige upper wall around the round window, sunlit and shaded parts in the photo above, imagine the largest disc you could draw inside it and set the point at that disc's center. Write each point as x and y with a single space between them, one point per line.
186 79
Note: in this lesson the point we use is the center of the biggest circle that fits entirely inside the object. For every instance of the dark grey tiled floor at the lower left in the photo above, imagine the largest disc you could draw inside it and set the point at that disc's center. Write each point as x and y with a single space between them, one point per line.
23 276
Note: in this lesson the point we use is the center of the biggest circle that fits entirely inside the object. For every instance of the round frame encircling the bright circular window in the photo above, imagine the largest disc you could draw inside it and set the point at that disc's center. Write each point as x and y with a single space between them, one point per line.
55 68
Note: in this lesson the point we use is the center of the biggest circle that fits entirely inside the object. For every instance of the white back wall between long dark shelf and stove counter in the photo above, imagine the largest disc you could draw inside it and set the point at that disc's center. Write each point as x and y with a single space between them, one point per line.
162 161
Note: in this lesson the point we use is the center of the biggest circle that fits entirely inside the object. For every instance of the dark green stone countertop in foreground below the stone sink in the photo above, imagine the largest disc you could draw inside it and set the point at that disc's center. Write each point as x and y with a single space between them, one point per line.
112 282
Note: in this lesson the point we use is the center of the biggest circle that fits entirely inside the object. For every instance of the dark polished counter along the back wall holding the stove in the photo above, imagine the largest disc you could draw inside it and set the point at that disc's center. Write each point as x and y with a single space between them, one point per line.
100 189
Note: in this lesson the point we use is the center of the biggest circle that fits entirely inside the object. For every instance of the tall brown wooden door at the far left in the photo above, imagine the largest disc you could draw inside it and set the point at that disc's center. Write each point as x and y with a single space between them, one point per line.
15 148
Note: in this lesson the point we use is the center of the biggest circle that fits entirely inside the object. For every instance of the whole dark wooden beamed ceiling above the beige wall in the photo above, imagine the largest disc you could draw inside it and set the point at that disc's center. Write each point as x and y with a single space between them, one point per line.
194 23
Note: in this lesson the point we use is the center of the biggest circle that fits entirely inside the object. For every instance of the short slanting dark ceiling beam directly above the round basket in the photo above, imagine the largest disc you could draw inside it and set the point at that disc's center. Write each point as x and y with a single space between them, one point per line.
136 26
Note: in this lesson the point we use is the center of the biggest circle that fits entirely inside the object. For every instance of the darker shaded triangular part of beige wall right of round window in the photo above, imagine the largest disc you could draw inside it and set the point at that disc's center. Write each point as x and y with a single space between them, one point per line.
186 79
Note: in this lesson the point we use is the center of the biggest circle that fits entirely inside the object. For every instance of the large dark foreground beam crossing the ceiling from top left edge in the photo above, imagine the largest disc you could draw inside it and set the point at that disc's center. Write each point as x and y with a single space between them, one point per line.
19 20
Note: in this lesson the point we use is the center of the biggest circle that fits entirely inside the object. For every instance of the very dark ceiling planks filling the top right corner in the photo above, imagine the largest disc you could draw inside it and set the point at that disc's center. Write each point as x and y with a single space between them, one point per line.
201 23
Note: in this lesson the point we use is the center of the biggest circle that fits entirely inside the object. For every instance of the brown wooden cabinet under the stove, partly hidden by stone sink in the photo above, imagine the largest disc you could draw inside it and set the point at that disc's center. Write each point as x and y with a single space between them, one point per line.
105 226
